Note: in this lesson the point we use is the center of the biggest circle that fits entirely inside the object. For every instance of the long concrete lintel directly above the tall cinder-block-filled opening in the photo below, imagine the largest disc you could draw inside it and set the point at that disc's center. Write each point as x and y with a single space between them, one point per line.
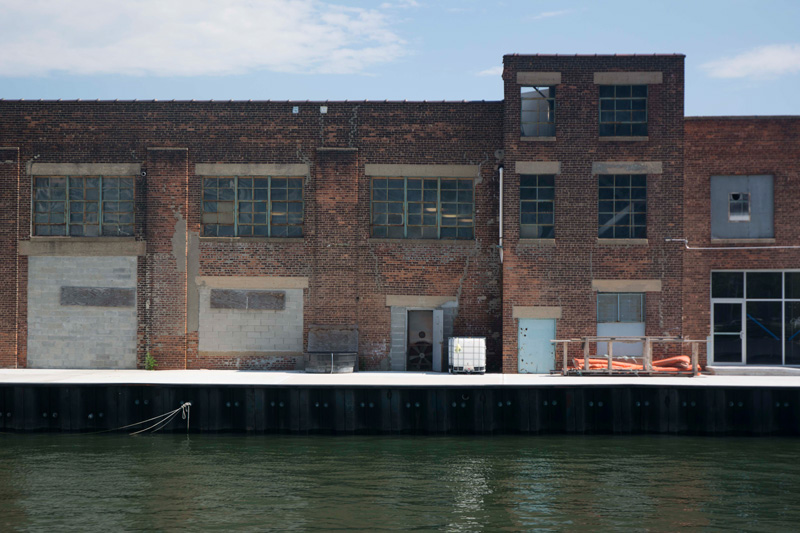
89 247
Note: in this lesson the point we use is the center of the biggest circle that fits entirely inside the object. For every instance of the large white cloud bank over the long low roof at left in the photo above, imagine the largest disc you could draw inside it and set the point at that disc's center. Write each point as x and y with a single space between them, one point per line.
191 37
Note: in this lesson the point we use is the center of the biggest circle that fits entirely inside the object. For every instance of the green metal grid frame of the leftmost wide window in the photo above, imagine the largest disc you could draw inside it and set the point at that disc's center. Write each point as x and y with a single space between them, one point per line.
99 201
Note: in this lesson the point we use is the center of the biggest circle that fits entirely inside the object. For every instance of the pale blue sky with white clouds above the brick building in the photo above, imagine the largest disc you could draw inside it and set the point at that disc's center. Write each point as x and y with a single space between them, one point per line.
742 57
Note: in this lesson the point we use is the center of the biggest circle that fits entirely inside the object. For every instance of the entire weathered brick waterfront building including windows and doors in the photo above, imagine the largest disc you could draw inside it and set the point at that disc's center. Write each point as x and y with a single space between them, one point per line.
245 234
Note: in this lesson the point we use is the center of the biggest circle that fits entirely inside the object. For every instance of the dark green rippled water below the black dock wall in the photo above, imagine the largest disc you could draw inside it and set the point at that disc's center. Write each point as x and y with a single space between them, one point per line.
168 482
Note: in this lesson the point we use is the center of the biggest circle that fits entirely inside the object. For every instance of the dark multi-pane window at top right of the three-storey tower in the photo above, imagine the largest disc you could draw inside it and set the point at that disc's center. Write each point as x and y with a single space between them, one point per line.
623 110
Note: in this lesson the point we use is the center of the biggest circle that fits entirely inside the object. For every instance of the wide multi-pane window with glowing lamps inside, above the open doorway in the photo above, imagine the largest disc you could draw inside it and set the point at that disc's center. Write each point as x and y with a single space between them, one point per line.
422 208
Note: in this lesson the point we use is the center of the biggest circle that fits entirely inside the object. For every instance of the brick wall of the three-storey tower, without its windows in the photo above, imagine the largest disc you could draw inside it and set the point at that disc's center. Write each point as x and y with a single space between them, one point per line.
560 275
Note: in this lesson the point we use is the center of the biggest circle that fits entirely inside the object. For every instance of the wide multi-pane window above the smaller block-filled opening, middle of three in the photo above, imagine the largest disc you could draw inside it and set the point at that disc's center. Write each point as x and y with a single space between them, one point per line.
253 207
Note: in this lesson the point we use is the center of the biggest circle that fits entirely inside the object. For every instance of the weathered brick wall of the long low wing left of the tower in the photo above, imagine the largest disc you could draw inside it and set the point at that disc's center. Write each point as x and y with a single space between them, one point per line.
364 271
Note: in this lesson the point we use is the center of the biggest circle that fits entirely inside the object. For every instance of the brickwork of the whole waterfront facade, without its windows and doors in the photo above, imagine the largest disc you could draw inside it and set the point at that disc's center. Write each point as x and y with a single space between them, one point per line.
348 278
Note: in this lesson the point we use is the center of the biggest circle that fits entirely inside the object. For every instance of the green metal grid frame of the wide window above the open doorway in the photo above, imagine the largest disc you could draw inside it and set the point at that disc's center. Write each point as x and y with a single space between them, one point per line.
405 202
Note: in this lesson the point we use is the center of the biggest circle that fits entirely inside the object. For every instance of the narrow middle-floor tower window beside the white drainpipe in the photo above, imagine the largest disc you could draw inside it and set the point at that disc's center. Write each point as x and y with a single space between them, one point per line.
536 194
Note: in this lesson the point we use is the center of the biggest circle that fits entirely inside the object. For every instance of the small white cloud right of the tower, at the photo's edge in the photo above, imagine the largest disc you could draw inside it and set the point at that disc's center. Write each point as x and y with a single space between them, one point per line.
769 61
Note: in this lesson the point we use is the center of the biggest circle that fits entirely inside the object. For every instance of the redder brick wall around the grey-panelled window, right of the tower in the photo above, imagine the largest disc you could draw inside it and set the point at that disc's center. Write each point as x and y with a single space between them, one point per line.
736 146
